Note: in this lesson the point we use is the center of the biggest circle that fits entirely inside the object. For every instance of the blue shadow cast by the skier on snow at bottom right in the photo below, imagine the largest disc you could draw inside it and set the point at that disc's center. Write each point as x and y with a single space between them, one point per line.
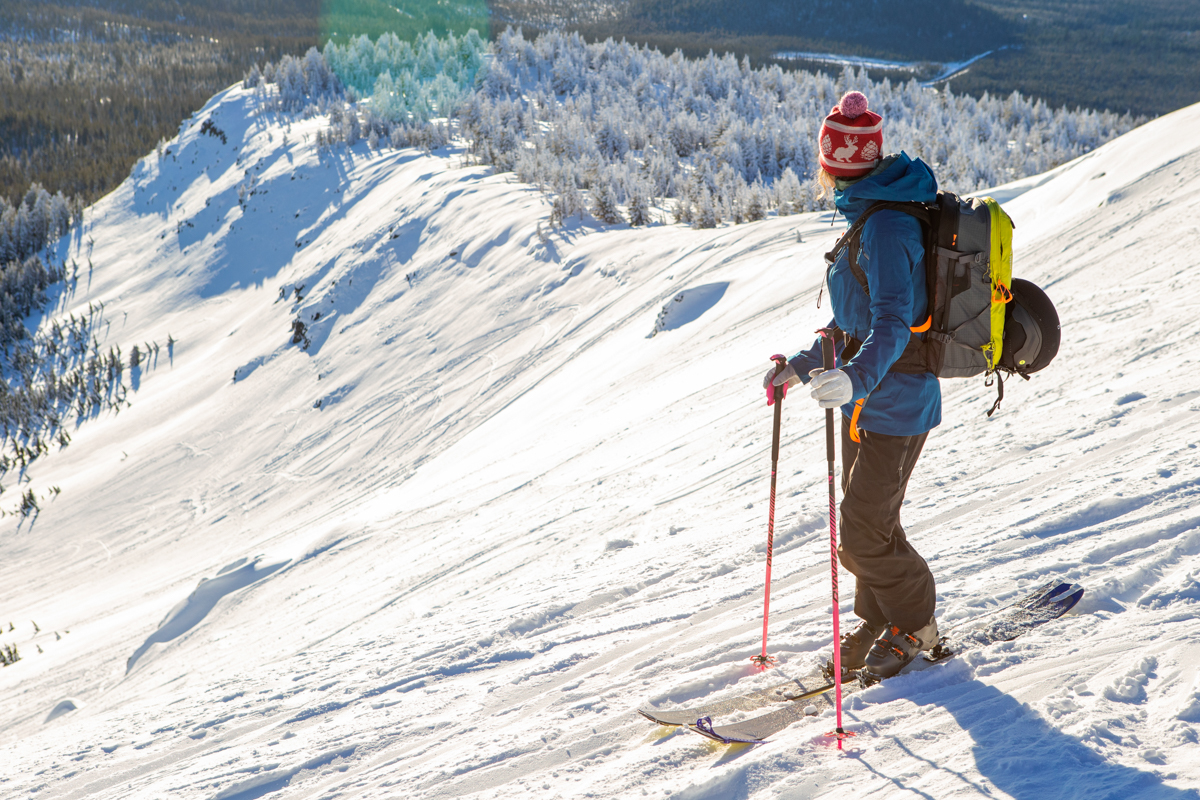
1027 759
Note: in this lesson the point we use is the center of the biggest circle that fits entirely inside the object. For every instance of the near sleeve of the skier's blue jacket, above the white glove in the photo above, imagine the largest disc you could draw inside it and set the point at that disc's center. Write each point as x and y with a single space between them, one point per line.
891 252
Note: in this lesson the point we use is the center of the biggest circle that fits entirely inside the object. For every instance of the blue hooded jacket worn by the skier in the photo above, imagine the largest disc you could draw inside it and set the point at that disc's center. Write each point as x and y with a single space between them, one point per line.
893 256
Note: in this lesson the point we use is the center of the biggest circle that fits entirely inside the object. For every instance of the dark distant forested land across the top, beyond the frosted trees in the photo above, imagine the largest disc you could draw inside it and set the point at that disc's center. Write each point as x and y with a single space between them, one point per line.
88 88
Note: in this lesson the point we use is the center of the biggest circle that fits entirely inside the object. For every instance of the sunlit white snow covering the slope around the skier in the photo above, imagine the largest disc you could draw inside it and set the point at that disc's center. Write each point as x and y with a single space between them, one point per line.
449 549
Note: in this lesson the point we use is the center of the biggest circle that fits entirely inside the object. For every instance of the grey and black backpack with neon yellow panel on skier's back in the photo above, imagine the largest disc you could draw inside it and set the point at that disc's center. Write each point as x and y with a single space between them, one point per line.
981 322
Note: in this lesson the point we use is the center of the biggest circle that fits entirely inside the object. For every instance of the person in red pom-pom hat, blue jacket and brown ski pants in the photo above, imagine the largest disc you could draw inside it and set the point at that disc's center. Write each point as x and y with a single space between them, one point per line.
886 416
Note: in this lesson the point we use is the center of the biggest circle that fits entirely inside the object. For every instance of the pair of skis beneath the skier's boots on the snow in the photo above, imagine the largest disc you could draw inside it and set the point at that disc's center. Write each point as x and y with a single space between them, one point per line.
1046 604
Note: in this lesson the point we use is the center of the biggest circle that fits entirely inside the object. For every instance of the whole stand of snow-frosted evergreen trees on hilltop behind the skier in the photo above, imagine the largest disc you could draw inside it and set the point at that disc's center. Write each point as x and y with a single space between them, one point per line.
711 139
